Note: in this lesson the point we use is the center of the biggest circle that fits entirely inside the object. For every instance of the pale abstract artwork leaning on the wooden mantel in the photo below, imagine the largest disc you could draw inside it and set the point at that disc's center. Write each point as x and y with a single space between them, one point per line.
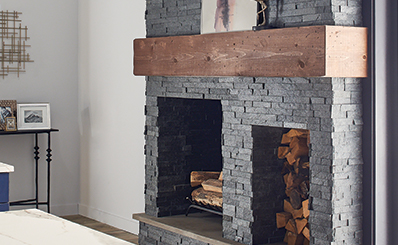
228 15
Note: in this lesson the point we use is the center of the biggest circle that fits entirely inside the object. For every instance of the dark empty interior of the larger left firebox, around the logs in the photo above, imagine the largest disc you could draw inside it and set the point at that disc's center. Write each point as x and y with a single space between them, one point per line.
189 140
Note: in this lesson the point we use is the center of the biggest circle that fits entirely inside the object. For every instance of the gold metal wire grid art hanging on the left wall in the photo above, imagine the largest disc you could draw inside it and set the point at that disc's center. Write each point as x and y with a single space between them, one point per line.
13 54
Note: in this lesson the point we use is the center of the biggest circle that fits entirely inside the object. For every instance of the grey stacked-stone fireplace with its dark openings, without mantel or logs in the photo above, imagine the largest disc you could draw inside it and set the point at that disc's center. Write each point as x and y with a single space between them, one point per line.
225 123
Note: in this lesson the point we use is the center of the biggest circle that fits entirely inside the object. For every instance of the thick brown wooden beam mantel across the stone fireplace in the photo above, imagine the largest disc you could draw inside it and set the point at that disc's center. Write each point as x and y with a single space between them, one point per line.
313 51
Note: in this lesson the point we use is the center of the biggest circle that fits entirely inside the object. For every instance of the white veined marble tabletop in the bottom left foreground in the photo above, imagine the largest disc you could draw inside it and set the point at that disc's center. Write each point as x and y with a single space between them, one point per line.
35 227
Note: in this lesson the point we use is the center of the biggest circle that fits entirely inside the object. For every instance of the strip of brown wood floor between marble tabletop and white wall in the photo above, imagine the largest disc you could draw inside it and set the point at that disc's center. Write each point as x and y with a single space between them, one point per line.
107 229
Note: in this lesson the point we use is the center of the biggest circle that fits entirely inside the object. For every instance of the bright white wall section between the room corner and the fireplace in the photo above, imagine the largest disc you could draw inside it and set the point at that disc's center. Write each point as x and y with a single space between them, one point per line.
111 107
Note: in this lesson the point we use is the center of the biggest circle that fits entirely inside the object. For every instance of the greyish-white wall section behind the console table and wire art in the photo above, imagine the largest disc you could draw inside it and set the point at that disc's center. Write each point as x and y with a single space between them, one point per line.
52 26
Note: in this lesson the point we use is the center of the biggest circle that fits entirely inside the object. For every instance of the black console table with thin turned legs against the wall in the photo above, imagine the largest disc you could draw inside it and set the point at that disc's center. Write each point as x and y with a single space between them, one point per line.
35 201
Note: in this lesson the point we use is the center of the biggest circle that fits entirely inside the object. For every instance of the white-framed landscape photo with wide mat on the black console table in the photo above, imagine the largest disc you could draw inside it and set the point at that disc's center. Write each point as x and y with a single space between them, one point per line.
34 116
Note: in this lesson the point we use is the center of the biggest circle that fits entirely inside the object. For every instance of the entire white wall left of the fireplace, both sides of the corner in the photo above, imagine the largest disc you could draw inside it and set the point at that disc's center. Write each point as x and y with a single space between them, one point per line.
82 51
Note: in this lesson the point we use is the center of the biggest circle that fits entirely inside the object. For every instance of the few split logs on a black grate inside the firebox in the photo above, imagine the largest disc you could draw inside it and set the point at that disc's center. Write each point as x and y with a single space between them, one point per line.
210 192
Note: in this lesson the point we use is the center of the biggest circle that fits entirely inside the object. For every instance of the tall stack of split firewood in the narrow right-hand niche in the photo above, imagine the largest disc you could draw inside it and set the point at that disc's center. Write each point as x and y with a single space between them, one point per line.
294 149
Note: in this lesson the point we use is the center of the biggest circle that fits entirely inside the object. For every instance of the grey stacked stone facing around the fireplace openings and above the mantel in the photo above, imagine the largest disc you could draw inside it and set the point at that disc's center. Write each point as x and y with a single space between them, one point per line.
329 107
